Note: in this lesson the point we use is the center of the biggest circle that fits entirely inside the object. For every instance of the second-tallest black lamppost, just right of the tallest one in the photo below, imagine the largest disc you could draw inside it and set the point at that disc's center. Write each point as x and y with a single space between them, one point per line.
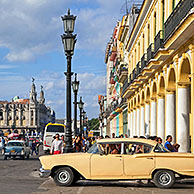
75 85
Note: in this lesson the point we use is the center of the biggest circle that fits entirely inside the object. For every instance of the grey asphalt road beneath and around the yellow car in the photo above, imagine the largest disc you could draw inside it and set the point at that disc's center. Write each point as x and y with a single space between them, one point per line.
21 177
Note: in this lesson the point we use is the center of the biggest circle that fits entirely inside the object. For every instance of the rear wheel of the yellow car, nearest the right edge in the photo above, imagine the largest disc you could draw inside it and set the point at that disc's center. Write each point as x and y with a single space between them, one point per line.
164 179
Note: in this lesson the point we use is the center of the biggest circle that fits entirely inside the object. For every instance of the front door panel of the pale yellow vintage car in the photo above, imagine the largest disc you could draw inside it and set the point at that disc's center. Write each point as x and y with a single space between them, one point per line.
106 166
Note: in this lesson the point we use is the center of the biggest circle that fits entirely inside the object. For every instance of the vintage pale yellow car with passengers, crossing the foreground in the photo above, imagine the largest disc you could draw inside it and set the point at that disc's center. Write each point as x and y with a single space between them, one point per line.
120 159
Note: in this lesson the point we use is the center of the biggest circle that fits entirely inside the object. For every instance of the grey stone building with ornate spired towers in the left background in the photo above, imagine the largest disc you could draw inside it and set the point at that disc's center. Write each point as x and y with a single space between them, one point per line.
25 115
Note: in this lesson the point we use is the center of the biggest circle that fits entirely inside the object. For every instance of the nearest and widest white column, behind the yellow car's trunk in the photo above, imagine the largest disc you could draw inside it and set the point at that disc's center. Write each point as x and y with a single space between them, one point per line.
183 118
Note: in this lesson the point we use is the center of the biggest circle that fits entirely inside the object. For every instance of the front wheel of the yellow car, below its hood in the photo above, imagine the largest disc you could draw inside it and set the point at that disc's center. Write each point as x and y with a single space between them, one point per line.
64 177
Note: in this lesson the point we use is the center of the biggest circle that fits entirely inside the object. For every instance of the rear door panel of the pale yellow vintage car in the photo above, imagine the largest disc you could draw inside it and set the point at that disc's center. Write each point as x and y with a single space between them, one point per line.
139 165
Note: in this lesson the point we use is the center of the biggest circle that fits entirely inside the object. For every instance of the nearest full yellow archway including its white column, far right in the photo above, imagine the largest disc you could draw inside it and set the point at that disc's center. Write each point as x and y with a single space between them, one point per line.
184 106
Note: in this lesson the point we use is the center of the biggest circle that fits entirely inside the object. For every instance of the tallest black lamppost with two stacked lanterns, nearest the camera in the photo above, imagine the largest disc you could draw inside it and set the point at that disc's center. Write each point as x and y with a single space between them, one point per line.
69 41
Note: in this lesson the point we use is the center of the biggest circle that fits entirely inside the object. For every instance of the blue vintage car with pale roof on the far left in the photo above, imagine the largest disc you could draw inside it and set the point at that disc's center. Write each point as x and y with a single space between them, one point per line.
16 148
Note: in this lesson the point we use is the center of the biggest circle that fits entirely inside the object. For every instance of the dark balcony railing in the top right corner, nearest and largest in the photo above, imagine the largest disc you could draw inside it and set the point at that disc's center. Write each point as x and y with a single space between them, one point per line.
180 11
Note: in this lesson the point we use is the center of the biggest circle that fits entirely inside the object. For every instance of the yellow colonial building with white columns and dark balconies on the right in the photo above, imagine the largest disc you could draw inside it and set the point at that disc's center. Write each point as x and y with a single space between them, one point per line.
159 87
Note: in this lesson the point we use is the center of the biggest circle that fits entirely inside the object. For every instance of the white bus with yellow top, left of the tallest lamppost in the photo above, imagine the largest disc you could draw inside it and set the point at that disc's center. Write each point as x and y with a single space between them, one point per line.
51 129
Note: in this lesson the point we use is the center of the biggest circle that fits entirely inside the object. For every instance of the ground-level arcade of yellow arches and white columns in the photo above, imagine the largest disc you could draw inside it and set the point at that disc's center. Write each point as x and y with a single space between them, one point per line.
164 104
